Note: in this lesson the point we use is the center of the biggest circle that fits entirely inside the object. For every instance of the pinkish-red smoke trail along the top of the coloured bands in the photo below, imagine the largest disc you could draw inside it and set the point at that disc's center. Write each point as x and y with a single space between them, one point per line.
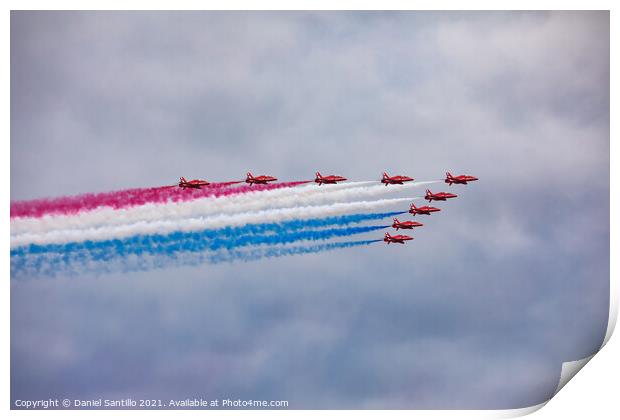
132 197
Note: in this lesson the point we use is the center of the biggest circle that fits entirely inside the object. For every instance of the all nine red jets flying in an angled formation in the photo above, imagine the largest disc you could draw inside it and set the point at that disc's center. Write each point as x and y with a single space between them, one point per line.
386 180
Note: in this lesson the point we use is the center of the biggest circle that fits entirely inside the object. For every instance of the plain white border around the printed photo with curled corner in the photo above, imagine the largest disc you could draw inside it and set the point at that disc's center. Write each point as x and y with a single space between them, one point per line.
597 376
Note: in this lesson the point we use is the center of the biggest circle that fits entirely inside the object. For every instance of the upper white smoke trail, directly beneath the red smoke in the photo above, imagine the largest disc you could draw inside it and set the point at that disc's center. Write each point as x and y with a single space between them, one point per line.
245 203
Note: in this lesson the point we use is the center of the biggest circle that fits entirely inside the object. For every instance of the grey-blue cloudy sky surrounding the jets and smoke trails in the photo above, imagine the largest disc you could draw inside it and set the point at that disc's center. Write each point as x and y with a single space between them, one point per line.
509 281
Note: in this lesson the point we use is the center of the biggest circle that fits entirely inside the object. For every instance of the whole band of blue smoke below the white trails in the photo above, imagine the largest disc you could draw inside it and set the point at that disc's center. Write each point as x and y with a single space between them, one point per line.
65 258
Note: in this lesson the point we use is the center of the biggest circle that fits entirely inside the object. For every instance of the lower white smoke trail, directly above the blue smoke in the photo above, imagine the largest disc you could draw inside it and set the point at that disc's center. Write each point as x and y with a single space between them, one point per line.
202 223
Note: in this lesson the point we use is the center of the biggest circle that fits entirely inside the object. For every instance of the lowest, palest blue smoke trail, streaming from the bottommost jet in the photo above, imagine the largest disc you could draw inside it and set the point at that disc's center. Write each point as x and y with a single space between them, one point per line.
60 265
